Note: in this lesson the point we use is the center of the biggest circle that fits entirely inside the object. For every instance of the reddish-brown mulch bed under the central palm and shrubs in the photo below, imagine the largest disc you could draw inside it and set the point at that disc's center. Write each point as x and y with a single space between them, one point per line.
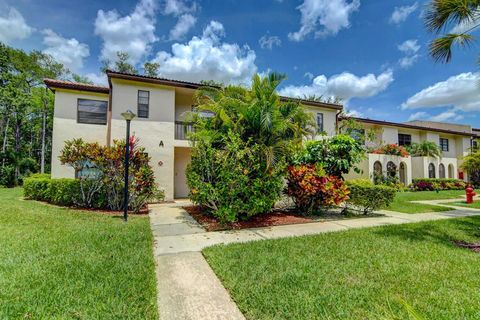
275 218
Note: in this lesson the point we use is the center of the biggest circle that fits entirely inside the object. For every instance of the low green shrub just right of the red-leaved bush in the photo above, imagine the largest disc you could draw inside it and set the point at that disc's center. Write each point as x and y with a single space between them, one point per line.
370 197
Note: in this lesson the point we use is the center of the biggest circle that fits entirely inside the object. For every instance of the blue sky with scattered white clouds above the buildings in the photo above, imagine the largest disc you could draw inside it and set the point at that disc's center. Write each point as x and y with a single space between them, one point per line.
373 54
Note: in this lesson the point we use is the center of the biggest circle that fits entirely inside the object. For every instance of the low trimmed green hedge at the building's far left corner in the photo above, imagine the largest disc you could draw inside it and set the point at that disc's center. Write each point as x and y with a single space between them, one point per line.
62 192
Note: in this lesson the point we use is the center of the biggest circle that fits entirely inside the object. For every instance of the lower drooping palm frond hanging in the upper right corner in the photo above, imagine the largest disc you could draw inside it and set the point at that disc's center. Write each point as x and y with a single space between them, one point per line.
441 48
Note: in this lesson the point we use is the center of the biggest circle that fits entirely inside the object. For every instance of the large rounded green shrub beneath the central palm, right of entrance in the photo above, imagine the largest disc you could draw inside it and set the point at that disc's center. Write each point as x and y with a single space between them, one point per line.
232 183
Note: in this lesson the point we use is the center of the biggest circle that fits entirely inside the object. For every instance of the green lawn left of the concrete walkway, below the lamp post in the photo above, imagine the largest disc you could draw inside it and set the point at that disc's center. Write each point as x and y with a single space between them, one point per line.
58 263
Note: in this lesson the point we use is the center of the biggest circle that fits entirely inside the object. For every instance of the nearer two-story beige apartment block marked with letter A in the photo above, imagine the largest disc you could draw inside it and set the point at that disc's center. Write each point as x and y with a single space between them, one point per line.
94 114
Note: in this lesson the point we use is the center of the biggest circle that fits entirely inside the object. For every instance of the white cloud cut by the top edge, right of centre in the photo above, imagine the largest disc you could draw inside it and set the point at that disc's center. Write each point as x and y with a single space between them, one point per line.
329 15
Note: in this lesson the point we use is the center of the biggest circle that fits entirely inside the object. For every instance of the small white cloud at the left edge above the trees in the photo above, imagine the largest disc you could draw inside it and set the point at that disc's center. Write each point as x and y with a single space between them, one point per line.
13 25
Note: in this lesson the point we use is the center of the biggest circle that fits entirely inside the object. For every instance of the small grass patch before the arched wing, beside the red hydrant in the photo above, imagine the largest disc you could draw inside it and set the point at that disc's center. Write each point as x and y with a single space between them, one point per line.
402 201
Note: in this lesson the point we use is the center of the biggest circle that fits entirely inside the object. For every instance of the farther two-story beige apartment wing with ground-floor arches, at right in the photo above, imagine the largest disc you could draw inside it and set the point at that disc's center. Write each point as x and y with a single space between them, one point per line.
454 141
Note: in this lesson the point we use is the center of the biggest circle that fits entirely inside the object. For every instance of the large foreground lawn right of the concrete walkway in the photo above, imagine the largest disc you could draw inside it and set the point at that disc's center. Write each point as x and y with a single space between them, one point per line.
356 274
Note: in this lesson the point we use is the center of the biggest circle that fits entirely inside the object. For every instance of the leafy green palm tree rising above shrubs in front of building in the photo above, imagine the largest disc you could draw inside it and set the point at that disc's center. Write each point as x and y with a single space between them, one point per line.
256 114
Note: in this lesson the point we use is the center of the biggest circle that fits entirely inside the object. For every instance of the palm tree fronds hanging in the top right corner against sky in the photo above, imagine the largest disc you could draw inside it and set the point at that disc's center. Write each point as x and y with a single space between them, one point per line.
443 14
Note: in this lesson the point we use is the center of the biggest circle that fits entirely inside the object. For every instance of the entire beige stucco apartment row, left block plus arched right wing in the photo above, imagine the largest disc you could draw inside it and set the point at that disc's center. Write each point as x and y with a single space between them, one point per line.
94 114
